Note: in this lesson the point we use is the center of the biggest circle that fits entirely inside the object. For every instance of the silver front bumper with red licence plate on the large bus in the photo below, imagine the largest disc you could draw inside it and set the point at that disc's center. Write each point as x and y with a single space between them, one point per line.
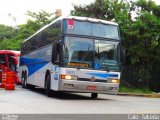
84 86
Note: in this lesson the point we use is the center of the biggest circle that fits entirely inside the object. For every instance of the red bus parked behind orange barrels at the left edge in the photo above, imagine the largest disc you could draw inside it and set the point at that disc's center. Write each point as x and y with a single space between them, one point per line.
9 62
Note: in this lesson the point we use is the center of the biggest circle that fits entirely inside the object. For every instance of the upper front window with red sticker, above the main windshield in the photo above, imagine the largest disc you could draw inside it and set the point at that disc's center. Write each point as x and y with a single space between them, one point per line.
91 29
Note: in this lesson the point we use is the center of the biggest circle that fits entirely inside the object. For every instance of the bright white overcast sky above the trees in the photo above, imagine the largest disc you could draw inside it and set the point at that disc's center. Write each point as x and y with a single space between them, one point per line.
13 12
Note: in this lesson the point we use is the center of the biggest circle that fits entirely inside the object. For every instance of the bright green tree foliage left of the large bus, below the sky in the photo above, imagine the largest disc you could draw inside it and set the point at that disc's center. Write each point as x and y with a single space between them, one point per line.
12 37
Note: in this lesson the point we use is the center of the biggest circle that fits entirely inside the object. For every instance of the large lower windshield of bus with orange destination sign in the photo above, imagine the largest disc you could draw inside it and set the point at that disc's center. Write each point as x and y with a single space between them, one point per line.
90 53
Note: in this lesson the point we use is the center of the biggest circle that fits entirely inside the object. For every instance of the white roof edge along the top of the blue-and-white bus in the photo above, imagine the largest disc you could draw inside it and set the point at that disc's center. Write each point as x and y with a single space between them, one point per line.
94 20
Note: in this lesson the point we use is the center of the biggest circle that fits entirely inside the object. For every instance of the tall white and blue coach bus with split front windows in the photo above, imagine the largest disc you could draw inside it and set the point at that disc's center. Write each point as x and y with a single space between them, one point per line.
74 54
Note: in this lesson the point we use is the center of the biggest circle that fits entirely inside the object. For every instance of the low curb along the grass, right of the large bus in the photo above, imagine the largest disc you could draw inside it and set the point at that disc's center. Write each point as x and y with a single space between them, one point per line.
140 95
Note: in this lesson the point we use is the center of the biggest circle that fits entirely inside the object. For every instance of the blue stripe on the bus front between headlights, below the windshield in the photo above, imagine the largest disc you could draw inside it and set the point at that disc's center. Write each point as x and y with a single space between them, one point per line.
103 75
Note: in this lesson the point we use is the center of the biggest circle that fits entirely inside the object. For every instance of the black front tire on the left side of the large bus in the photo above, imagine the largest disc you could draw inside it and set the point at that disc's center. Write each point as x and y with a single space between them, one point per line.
48 84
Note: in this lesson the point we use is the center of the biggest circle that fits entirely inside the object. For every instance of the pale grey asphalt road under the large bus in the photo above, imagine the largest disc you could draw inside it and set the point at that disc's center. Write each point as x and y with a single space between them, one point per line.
24 101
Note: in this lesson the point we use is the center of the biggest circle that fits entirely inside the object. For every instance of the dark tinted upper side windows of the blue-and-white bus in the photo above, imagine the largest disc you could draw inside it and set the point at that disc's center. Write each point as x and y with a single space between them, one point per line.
47 36
